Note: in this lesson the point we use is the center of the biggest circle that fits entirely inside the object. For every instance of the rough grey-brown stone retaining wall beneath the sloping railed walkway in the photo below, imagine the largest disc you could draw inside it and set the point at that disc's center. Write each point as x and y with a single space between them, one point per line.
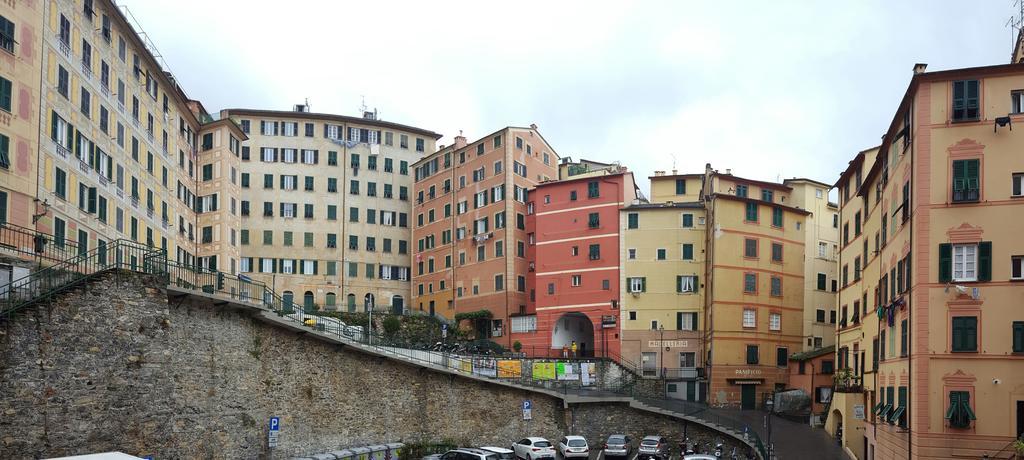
116 365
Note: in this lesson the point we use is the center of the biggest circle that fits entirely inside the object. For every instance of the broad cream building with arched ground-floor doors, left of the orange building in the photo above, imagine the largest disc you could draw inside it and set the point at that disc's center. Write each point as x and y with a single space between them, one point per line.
326 204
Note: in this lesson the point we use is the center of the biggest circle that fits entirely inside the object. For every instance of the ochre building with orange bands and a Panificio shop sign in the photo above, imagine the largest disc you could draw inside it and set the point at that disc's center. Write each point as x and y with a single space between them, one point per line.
755 289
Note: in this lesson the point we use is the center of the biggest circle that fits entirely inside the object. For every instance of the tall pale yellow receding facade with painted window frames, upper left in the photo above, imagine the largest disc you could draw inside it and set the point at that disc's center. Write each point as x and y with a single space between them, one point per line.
118 135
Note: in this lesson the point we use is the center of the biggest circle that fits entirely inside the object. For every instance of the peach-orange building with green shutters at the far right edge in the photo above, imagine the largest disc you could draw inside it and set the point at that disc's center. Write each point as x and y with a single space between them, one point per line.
944 191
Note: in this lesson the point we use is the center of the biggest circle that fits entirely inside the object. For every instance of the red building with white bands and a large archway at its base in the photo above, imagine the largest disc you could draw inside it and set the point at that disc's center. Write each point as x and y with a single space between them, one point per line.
574 276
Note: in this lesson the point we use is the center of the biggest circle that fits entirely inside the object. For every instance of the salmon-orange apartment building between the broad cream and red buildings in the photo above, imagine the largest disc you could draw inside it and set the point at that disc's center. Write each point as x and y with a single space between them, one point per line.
471 229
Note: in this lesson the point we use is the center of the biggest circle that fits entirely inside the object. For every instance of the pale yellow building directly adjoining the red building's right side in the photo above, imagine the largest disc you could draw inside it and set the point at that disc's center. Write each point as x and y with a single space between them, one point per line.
664 248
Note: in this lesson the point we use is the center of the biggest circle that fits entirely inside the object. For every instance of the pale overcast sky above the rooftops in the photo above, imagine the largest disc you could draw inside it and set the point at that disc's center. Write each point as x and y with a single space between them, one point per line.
769 89
